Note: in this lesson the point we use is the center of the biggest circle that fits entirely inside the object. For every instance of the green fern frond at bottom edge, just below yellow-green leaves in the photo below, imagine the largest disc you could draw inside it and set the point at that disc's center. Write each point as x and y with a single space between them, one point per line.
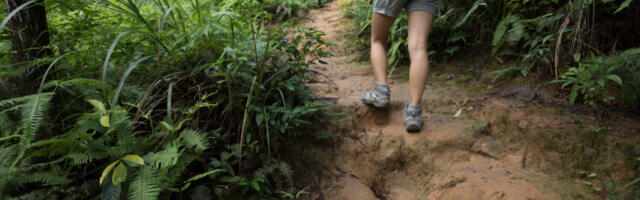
146 185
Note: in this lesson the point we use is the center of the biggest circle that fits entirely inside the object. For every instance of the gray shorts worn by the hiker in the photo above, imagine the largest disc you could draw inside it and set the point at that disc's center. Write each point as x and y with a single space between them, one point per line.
392 8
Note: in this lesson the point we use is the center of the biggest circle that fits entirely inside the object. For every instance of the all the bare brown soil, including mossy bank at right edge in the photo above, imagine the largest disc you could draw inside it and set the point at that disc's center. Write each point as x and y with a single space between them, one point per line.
499 148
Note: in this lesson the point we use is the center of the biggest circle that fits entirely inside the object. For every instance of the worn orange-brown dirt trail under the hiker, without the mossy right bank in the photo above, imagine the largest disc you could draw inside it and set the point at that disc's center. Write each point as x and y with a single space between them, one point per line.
452 158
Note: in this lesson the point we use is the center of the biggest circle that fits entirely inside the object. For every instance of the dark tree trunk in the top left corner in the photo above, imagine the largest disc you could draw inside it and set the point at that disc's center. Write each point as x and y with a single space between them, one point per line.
29 41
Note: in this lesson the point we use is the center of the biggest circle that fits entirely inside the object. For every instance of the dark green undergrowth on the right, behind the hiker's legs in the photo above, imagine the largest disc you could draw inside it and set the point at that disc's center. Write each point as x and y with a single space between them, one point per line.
543 35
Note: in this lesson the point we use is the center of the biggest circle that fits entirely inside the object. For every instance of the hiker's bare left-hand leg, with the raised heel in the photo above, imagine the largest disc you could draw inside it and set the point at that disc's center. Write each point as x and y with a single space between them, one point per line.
380 25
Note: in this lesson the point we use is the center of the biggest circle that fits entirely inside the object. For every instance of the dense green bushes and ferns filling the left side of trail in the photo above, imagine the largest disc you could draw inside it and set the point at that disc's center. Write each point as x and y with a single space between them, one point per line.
158 99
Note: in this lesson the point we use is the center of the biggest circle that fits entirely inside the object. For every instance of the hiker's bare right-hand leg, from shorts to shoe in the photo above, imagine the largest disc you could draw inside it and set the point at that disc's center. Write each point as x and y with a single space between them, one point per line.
419 28
